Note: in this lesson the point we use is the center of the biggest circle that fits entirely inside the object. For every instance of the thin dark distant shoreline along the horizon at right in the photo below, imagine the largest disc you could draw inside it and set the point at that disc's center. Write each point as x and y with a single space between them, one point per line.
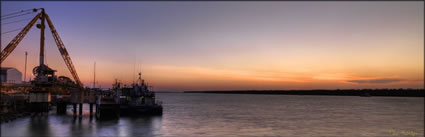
342 92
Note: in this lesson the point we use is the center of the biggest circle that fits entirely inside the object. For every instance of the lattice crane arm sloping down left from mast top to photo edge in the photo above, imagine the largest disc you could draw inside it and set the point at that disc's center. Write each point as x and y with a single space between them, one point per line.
18 38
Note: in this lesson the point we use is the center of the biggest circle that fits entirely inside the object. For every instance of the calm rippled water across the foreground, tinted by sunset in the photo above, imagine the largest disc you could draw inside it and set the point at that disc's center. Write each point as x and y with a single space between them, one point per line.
244 115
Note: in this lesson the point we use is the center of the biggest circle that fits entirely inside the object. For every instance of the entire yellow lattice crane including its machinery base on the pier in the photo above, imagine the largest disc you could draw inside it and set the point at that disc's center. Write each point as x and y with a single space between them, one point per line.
45 78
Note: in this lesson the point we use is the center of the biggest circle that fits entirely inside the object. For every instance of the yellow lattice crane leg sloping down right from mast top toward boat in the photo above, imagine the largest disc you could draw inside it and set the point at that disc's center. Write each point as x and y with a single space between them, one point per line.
63 52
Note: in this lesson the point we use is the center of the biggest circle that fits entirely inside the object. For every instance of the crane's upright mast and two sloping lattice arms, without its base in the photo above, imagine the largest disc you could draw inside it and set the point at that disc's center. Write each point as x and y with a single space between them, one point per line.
42 16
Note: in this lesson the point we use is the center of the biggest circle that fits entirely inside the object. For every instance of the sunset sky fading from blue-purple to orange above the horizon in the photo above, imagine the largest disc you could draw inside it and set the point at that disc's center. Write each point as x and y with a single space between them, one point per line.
231 45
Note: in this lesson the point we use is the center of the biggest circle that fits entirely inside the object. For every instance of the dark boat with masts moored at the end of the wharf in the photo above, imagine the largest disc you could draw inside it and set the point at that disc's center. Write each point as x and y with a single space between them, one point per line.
136 100
